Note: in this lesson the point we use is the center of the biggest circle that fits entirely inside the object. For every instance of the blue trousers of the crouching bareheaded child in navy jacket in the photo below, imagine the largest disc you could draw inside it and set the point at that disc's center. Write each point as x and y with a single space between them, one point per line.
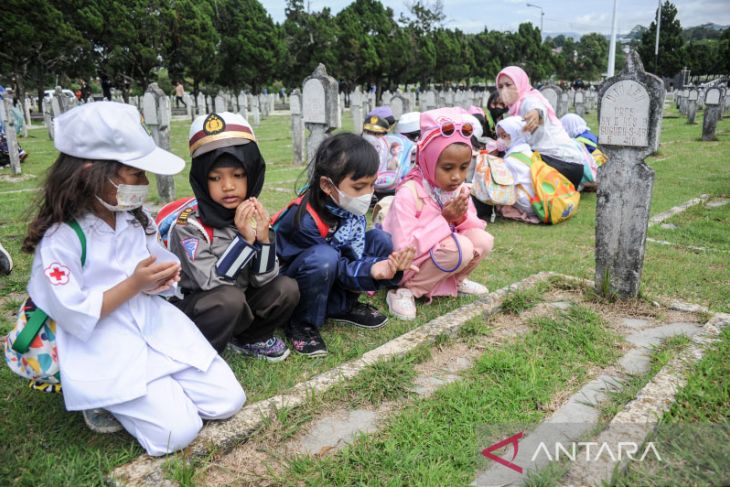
315 270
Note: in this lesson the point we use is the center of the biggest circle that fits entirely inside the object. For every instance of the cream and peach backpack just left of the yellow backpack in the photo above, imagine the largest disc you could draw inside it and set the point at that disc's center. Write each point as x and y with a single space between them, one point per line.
493 182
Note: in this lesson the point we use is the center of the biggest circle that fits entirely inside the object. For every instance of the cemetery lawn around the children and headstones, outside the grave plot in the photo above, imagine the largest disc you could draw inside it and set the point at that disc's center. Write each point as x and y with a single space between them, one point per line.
43 445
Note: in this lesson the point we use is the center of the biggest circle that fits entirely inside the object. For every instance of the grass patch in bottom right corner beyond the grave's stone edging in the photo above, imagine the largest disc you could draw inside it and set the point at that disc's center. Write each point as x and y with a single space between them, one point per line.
693 436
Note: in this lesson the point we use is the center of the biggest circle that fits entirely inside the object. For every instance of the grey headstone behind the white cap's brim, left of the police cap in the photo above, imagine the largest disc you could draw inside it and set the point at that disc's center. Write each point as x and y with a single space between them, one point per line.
156 111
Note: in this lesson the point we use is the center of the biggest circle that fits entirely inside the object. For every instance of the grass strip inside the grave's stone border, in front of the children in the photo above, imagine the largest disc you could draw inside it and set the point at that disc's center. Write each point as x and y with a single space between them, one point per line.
432 441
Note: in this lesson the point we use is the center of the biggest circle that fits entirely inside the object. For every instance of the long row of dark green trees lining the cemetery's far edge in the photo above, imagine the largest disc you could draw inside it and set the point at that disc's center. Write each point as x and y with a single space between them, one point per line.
235 44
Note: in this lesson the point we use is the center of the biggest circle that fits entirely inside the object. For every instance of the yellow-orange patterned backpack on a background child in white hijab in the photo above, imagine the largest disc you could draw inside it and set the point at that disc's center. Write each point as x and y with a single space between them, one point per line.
556 199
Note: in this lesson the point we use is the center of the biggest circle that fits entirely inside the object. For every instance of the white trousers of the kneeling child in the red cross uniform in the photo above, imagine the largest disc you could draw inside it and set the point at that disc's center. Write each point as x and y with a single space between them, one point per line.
170 415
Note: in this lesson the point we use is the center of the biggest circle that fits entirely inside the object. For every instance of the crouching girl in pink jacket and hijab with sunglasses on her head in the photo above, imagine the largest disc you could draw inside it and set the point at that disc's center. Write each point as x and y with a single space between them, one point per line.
433 212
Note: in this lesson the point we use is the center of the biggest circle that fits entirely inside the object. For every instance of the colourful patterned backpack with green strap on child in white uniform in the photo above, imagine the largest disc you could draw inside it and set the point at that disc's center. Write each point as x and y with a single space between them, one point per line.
30 348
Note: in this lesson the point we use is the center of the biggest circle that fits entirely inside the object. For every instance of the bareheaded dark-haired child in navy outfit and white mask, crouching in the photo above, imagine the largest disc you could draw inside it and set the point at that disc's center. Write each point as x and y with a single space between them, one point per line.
322 243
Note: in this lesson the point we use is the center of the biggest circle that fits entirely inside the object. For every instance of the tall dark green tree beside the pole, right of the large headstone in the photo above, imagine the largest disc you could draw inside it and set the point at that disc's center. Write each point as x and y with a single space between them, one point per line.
670 59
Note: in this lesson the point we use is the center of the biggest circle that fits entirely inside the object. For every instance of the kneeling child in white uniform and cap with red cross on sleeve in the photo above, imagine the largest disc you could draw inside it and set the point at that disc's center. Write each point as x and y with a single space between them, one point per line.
121 347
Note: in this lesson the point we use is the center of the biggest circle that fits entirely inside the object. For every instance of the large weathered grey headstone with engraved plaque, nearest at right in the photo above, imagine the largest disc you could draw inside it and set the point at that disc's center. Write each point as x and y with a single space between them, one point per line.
629 110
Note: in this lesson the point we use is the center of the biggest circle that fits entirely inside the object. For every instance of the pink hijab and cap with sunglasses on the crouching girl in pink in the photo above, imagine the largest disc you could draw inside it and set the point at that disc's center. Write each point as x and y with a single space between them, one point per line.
432 143
